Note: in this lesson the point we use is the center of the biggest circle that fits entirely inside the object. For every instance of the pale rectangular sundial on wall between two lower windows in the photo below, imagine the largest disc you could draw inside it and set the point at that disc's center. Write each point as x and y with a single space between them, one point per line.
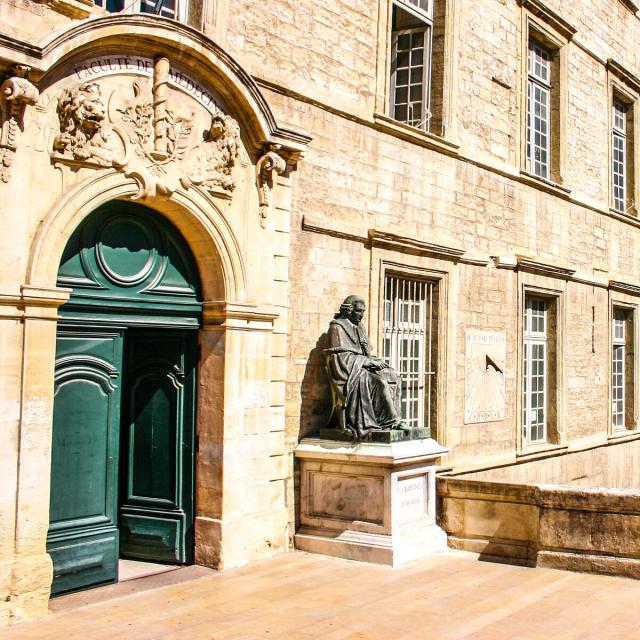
484 376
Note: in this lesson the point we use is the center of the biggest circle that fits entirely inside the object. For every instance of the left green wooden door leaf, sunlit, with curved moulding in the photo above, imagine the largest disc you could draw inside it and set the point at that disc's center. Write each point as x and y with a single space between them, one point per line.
82 537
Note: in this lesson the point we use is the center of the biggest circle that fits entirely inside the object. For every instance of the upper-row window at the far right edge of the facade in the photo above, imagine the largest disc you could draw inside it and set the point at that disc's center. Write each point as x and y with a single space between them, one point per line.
622 172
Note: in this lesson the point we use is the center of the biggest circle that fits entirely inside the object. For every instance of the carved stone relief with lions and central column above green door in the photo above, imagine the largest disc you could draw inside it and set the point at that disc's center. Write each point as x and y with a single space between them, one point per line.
145 136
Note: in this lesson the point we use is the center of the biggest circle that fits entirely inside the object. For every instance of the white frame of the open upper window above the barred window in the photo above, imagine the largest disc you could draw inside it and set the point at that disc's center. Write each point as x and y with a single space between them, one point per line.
425 15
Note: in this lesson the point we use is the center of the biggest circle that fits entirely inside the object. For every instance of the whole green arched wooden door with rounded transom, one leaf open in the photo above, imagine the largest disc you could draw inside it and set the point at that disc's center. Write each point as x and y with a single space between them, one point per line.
122 472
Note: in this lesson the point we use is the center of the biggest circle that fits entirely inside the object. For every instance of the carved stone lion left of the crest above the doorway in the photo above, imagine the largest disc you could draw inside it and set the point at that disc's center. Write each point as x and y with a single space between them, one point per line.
85 132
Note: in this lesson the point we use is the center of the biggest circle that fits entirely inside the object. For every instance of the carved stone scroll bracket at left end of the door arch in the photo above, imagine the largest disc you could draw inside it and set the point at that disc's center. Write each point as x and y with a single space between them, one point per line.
16 93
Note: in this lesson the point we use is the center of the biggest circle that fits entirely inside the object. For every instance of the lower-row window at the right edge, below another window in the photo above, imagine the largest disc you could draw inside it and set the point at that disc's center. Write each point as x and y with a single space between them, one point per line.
622 369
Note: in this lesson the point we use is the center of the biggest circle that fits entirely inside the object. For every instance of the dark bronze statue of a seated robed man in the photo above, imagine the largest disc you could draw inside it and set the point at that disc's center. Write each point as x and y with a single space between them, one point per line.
366 389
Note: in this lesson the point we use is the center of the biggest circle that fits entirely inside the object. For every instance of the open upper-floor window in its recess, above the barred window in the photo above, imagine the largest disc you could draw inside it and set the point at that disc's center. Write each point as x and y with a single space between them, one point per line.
417 69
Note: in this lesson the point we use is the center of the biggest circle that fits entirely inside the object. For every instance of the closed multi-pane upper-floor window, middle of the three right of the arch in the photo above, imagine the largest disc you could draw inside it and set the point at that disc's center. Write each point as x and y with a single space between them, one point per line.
538 109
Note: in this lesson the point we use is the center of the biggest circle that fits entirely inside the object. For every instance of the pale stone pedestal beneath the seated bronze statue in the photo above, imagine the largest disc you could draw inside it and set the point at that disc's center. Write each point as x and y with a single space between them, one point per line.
369 501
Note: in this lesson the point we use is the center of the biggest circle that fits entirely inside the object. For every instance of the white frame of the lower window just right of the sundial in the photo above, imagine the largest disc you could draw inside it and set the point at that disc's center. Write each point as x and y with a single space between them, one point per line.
535 339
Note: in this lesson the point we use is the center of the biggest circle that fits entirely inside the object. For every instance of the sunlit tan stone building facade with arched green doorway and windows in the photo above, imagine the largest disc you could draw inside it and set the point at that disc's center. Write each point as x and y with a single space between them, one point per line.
469 169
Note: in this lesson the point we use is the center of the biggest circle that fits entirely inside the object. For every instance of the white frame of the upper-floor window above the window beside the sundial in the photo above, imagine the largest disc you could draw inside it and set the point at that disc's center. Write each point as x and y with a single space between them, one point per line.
538 84
